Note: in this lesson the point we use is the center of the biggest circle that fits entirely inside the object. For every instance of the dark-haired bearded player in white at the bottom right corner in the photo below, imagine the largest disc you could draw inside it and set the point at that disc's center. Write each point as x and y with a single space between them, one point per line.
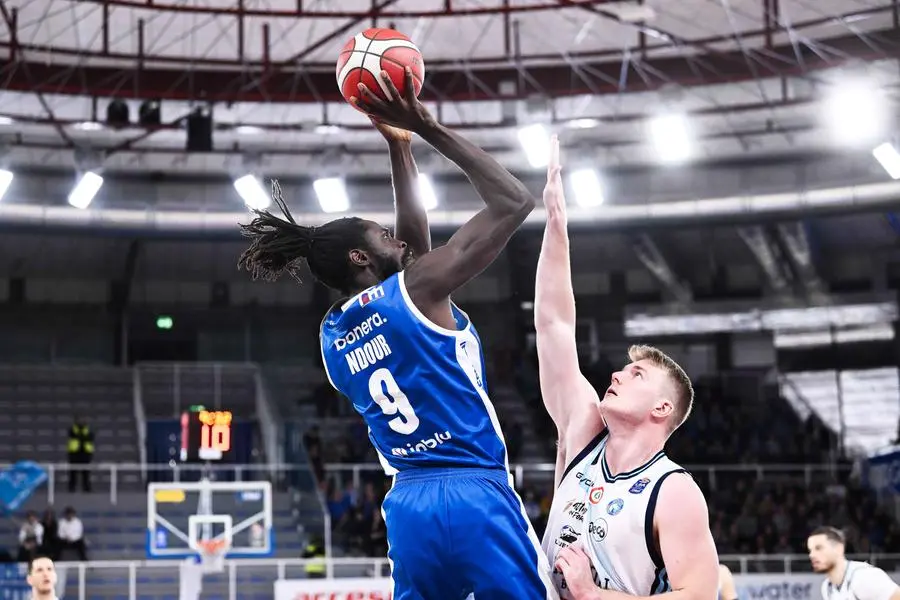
846 579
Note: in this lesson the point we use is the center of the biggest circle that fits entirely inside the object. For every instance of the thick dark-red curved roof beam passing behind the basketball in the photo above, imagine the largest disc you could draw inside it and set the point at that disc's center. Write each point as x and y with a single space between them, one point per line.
597 73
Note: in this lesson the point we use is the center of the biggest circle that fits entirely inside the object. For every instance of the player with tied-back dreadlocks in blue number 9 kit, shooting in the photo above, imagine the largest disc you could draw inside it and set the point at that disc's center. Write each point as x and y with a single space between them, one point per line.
411 363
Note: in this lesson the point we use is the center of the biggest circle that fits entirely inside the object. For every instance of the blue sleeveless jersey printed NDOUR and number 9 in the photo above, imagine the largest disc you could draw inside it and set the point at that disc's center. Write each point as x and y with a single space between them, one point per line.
419 387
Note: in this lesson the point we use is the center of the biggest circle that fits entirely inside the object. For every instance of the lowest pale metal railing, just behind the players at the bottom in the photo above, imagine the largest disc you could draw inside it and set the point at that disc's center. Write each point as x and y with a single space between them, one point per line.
378 567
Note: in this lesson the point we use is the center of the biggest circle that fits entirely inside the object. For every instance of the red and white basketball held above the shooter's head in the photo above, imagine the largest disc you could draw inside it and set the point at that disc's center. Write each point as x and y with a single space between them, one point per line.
375 50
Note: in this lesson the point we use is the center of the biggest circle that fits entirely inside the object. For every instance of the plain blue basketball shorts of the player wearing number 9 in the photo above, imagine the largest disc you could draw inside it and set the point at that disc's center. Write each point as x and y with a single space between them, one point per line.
460 533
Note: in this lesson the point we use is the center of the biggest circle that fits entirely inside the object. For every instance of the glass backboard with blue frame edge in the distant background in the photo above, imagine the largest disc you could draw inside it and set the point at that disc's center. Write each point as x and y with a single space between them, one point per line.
181 516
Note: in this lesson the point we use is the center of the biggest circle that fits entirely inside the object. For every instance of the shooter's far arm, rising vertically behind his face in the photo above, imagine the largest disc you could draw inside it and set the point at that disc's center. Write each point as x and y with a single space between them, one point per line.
411 219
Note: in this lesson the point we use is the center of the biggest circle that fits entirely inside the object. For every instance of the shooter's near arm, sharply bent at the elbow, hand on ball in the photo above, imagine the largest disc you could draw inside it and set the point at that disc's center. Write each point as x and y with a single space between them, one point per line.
477 243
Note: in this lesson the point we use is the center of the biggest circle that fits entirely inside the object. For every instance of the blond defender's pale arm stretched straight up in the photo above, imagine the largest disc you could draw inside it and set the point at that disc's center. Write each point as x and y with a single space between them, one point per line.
570 399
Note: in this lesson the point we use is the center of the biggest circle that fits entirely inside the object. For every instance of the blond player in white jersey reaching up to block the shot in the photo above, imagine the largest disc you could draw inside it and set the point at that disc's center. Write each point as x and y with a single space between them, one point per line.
625 520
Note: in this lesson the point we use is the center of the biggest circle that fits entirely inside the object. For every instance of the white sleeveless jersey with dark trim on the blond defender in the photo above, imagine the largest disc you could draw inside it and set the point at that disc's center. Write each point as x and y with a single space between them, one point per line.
612 517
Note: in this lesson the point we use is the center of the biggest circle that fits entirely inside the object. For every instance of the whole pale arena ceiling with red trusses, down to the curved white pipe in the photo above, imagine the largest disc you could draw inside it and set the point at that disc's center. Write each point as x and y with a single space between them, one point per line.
750 76
